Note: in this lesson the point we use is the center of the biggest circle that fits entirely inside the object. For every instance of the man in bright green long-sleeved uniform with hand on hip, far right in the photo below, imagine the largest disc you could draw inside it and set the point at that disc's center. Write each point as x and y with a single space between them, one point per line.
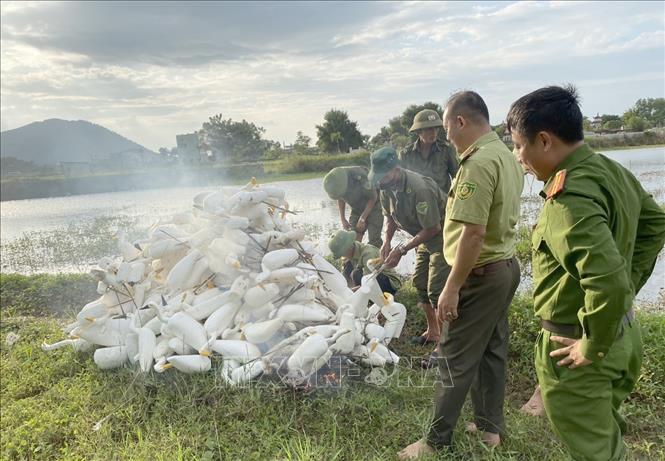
594 246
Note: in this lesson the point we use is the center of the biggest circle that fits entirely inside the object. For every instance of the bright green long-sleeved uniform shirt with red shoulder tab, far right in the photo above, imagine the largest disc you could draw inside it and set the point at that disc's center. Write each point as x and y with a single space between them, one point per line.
594 247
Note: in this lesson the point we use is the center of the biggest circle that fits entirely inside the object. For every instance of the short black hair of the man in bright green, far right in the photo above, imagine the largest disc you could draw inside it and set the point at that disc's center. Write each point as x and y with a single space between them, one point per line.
553 108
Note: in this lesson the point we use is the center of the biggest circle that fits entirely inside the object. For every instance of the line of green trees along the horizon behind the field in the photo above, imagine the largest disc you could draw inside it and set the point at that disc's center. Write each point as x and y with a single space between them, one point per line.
229 141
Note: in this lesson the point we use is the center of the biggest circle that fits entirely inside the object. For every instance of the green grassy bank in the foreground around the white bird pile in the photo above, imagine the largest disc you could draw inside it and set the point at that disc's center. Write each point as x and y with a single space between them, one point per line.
52 402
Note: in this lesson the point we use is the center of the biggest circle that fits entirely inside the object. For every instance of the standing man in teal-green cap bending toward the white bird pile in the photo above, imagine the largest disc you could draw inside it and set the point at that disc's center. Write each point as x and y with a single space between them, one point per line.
414 204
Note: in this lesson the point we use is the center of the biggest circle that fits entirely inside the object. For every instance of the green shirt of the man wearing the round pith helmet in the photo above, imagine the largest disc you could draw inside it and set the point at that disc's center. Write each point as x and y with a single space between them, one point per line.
441 165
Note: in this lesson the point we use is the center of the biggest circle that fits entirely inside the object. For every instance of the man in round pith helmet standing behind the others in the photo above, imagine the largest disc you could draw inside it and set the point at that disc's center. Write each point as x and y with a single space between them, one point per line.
426 156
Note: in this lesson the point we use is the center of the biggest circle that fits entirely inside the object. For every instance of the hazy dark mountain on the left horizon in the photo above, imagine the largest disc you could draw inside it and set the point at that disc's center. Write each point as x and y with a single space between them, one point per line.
55 140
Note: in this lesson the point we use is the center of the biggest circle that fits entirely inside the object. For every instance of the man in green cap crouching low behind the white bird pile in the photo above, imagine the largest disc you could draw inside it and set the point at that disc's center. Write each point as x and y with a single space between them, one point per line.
360 259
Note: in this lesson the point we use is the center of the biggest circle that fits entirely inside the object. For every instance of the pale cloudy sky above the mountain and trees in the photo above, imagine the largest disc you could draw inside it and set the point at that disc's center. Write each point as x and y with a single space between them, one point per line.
152 70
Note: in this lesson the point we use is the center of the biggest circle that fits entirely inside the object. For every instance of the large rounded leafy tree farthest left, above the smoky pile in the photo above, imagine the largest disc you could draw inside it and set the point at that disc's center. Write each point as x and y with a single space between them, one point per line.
231 141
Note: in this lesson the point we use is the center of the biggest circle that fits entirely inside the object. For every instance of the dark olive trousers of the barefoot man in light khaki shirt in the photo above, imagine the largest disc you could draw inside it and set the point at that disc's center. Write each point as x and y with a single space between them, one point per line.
473 351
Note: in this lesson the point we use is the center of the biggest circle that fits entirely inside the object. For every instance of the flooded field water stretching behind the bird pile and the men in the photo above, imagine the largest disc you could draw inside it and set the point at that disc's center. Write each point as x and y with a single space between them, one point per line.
69 234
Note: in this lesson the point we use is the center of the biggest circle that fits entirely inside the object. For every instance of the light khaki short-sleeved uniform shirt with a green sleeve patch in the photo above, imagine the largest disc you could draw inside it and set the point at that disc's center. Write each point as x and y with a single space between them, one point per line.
485 191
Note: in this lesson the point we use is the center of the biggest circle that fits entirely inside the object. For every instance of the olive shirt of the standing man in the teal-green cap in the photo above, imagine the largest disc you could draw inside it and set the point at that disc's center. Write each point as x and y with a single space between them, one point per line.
416 204
